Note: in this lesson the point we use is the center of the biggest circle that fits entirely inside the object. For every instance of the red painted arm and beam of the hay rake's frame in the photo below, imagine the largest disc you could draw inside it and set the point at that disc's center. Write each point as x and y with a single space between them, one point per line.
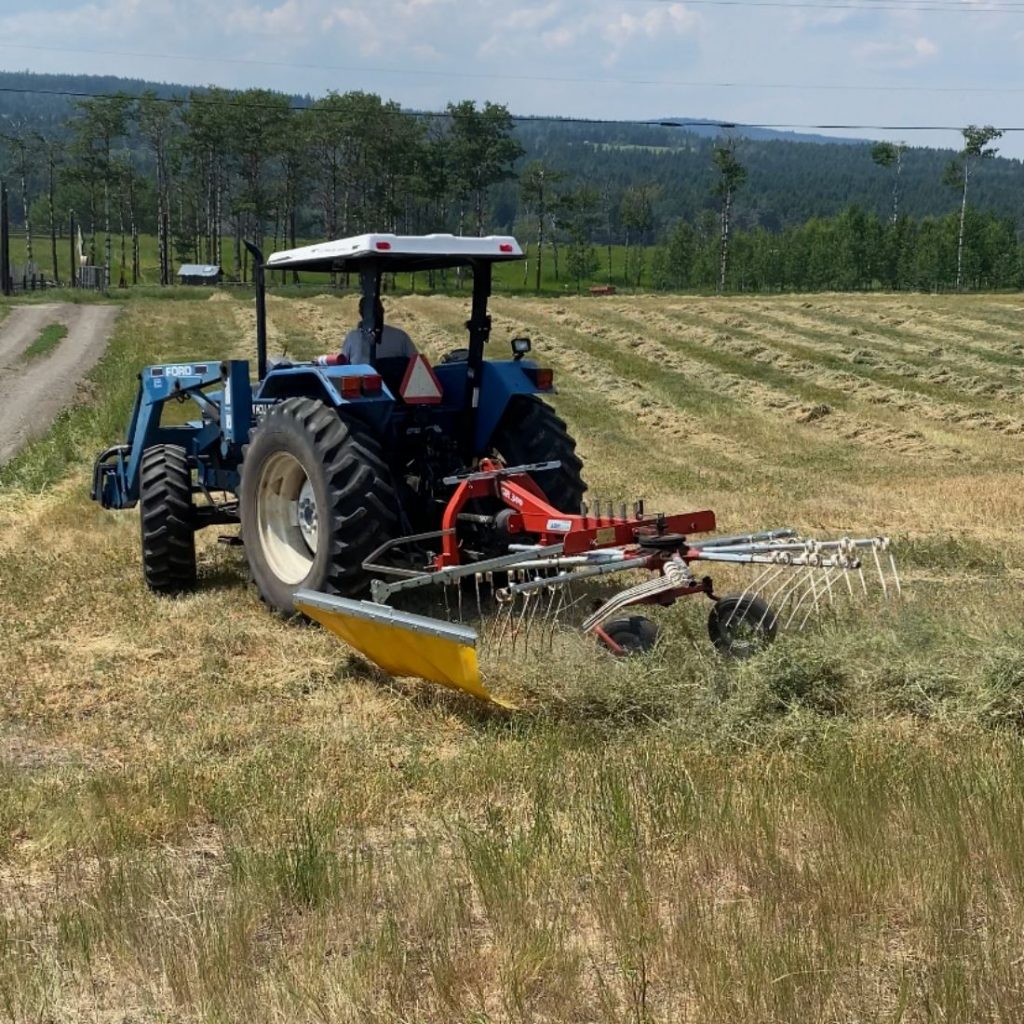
533 517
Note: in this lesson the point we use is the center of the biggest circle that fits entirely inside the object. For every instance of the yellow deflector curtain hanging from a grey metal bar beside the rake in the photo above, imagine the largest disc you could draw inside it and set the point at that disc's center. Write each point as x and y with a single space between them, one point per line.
401 644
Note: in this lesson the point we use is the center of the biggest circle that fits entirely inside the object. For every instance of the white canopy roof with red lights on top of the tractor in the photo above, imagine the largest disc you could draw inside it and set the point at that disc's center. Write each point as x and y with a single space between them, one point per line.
397 253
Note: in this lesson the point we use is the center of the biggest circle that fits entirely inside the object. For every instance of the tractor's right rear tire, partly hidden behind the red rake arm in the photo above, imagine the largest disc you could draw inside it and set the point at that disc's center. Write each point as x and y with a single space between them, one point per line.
532 432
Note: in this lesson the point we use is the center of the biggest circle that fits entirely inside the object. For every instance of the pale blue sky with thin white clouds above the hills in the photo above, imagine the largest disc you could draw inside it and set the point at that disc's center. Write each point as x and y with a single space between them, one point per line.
868 62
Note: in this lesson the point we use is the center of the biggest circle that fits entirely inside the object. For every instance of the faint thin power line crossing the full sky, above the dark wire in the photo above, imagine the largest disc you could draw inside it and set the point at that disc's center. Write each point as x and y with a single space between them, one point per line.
491 75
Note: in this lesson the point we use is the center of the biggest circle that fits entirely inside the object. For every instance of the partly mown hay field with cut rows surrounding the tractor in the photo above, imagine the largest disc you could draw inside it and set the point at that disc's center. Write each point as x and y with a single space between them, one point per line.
207 815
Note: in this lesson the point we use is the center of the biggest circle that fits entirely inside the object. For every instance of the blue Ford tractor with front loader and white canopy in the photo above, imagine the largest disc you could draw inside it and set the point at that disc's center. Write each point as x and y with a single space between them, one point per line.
323 463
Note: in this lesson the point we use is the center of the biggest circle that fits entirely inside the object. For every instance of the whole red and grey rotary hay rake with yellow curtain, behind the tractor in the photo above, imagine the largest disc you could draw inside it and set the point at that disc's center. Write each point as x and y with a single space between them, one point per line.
549 553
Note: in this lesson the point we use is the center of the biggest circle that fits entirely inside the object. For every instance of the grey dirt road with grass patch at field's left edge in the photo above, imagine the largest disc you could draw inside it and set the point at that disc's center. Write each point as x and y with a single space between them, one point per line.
32 393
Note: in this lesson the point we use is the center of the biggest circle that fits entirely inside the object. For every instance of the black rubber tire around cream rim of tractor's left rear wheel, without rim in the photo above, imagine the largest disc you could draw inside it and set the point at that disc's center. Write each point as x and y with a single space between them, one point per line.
356 500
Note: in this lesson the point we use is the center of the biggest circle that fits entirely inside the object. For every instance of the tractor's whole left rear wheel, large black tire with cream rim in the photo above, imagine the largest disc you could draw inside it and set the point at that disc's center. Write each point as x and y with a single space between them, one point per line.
317 500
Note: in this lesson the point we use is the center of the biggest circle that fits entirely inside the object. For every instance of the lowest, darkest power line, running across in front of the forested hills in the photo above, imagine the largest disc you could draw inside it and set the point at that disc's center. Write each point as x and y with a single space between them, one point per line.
528 118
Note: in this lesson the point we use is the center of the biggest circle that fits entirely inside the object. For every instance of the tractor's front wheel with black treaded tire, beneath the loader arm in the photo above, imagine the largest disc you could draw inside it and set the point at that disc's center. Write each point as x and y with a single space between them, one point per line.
167 520
